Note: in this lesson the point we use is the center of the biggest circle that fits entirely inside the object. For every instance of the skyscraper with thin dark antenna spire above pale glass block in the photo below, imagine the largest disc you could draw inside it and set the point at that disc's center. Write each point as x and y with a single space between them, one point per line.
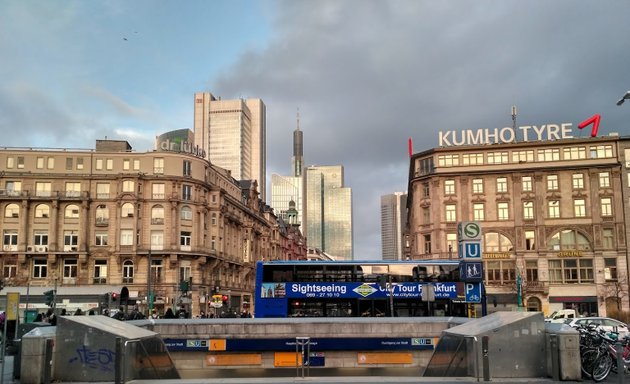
287 189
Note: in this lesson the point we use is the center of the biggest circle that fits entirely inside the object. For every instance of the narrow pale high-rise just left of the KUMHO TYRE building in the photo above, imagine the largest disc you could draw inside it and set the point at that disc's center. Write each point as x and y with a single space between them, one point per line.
393 220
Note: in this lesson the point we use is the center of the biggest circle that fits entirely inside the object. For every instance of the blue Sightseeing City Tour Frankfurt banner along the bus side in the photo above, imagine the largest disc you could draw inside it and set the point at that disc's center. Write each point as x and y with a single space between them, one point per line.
445 290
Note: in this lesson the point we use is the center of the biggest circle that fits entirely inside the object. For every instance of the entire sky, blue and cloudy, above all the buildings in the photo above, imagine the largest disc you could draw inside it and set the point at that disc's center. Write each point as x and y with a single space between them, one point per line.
366 75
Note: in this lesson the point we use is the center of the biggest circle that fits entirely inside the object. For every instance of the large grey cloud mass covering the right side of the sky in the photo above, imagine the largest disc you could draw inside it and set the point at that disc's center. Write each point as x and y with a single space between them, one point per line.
367 75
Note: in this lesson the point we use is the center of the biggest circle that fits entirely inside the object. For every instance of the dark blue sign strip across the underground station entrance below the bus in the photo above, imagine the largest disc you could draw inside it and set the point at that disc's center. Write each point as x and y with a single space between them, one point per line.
316 344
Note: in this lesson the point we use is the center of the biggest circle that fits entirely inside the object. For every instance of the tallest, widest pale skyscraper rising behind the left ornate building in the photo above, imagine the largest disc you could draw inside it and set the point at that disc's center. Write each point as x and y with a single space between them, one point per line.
233 134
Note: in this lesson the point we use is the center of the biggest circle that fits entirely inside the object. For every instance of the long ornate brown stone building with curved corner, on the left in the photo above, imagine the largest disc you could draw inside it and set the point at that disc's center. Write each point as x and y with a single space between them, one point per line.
167 227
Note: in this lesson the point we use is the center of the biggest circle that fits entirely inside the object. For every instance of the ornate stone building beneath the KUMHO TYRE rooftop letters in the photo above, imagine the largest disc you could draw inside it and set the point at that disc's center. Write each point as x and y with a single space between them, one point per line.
552 213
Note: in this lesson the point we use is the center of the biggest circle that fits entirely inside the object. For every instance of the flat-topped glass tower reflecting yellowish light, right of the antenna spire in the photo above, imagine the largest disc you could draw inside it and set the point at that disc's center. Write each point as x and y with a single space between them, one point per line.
329 211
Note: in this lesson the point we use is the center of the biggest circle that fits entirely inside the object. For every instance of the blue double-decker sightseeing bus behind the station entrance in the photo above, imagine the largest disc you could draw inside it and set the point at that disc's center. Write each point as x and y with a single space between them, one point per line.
359 289
